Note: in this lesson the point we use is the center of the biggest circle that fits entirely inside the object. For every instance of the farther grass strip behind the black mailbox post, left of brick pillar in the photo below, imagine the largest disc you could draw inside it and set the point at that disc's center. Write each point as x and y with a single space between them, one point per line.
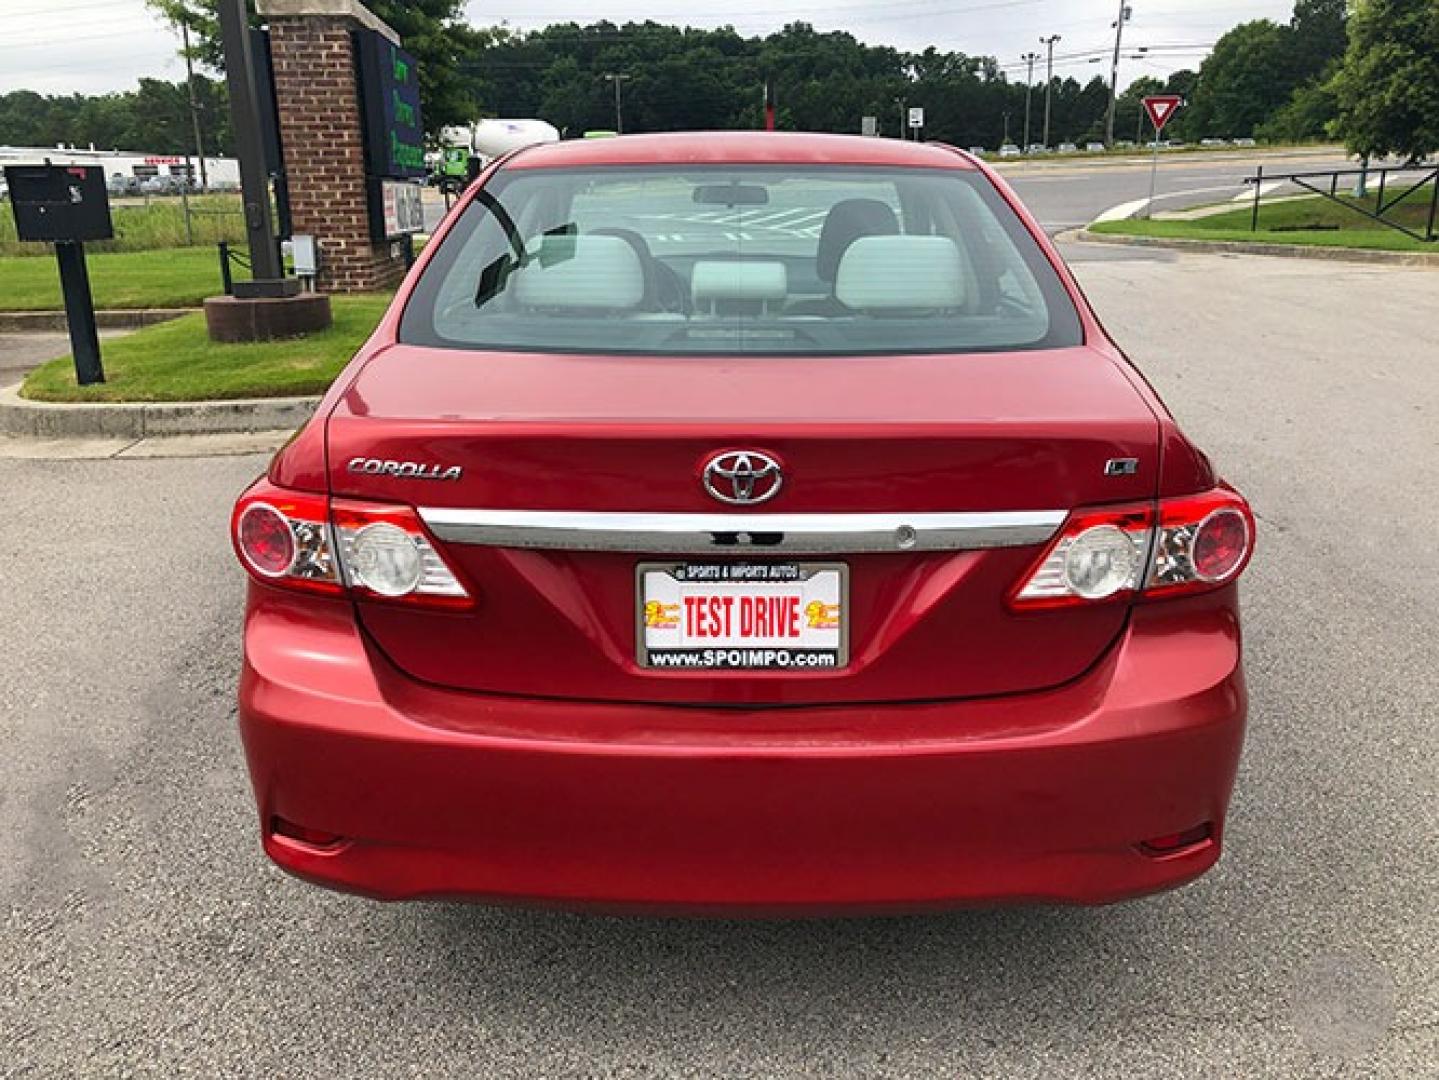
171 278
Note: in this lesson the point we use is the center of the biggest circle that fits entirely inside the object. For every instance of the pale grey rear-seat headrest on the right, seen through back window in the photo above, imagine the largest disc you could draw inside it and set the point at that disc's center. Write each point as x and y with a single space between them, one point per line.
900 273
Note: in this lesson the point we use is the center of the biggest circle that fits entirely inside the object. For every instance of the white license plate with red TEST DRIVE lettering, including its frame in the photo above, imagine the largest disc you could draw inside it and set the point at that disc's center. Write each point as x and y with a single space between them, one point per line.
743 616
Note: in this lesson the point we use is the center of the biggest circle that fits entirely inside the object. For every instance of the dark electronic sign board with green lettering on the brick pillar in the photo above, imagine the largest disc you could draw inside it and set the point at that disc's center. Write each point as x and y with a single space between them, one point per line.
391 109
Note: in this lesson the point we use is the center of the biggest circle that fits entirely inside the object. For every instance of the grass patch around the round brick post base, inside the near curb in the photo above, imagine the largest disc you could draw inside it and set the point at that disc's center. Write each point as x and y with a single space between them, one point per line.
176 362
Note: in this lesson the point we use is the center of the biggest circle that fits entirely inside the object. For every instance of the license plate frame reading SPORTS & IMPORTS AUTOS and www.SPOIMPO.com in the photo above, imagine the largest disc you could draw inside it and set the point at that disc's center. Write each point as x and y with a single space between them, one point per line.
736 576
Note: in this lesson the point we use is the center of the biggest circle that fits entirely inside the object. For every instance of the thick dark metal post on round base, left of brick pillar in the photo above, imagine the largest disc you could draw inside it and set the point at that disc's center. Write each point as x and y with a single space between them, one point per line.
250 147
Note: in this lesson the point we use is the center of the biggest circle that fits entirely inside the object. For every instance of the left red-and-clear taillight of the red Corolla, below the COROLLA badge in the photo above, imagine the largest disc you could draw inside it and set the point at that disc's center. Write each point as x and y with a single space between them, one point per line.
378 552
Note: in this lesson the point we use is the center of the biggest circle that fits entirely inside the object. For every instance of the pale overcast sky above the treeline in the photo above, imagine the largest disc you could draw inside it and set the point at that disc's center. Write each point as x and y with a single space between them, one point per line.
63 47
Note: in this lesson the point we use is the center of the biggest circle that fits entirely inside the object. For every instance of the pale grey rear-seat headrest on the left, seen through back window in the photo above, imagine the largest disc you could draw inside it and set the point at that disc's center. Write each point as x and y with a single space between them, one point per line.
588 273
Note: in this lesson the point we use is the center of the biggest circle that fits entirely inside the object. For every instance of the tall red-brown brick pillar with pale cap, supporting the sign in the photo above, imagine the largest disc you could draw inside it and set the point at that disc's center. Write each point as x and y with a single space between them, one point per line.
320 126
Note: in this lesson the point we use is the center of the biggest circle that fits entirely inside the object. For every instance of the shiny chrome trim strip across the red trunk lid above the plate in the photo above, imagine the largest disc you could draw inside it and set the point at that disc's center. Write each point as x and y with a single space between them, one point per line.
759 533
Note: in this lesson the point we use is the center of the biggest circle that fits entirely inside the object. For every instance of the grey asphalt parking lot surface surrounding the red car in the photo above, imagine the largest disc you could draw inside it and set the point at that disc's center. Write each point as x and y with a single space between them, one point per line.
145 934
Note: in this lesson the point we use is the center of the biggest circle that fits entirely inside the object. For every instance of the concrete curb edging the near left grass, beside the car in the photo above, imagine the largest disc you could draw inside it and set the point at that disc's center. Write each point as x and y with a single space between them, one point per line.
147 419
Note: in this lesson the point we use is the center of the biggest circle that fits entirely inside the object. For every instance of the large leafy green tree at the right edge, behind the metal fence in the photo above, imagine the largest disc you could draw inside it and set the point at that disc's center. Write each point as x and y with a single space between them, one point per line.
1388 88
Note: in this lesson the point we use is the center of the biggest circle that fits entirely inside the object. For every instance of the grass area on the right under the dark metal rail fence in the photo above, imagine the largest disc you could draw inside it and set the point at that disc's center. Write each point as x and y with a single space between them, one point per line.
1313 221
